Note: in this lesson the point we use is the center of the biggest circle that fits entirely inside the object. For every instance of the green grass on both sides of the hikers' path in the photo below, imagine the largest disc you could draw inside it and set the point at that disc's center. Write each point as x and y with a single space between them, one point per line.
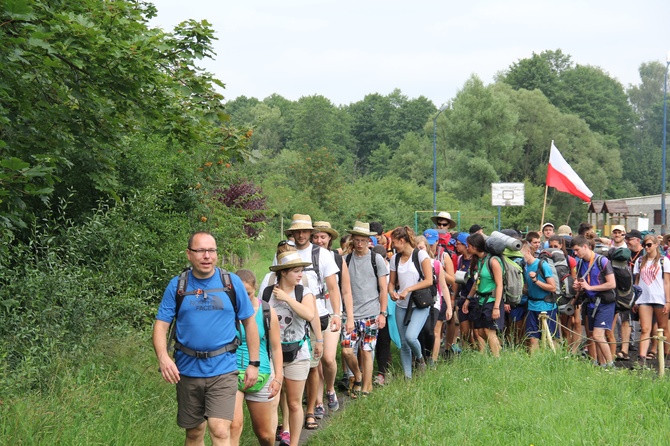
117 397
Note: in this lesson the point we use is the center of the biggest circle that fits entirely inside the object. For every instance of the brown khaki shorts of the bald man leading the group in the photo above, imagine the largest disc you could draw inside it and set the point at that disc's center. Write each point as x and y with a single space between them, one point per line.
202 398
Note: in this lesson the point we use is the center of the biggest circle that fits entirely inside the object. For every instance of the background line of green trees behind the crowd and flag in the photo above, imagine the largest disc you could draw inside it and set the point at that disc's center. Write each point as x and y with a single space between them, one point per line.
372 159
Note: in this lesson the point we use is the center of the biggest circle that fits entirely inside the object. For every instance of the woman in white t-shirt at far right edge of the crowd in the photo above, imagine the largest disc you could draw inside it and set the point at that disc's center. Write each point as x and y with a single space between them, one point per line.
652 275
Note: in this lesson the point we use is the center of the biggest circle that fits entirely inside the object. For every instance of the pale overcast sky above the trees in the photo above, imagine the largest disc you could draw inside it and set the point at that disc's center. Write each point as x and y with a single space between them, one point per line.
345 49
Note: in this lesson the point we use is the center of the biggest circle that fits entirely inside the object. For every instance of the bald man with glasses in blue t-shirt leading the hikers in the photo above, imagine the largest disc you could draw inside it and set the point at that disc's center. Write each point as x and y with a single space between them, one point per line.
205 368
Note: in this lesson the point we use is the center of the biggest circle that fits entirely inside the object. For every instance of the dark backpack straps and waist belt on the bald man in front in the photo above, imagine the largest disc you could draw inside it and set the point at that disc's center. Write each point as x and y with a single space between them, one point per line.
182 283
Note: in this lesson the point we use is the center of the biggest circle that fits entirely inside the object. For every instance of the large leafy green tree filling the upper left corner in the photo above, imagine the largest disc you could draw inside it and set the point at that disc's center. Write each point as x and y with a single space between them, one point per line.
80 80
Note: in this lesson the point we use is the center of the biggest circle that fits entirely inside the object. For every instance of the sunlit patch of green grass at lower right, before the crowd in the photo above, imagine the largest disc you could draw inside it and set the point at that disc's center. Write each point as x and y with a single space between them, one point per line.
546 399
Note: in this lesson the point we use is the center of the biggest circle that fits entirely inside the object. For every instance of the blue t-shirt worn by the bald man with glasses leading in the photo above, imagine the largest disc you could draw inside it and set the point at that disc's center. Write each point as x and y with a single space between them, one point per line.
206 323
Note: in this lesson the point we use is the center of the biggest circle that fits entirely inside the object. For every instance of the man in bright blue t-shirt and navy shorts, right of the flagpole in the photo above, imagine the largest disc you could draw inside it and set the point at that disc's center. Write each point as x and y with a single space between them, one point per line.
540 284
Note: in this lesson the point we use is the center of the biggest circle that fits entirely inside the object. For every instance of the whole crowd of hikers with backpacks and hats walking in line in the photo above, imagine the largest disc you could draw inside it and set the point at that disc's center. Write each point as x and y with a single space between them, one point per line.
432 295
